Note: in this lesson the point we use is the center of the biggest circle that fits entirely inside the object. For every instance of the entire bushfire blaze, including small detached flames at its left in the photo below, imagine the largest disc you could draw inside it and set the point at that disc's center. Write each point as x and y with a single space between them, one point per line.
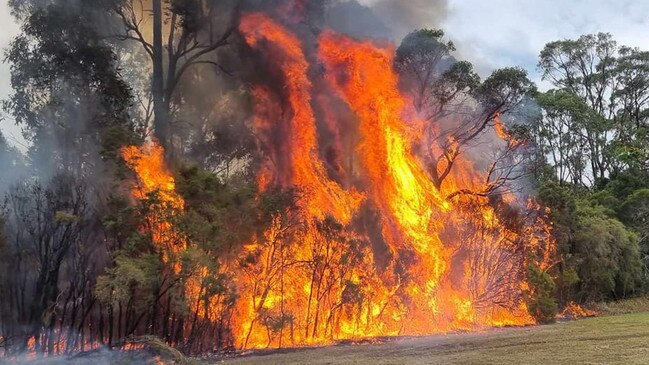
376 248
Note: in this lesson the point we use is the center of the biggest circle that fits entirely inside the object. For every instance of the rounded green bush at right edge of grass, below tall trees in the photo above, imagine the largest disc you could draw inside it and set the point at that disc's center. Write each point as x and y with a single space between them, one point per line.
600 257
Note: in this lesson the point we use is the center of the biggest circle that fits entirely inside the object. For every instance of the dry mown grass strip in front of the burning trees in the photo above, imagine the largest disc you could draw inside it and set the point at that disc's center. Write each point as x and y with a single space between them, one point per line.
619 339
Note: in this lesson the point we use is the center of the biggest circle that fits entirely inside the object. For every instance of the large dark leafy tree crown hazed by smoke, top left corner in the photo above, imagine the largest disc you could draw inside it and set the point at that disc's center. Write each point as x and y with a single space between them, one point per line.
68 94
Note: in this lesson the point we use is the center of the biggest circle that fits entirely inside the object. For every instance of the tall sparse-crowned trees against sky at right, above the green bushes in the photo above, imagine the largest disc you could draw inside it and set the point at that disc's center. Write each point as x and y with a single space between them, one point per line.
611 82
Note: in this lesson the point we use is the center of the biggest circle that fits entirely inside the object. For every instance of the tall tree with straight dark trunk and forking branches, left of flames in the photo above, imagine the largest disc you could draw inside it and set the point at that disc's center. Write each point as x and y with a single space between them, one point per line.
185 33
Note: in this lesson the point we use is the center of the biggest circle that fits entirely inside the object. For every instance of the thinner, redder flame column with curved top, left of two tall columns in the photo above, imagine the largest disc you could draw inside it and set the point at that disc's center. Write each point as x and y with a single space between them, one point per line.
306 170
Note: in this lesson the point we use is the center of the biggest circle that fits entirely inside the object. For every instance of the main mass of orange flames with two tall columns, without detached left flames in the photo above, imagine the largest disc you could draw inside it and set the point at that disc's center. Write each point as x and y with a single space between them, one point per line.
415 288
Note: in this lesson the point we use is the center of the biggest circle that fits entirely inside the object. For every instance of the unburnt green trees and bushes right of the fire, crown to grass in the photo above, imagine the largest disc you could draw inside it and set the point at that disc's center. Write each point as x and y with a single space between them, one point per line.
593 159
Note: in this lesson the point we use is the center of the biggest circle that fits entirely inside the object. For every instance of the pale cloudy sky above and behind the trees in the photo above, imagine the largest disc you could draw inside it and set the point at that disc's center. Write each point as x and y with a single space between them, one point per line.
489 33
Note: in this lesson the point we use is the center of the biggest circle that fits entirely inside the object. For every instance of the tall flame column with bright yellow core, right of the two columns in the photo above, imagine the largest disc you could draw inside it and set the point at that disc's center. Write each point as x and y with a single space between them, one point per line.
397 181
